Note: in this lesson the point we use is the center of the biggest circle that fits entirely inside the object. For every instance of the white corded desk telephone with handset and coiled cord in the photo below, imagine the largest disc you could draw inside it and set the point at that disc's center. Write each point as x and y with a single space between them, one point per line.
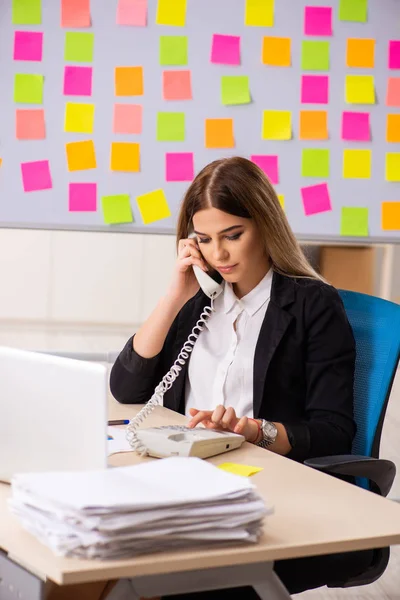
177 440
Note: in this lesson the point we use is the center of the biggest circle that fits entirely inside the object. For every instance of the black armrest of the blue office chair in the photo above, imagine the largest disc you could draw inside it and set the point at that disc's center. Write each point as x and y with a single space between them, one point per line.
379 471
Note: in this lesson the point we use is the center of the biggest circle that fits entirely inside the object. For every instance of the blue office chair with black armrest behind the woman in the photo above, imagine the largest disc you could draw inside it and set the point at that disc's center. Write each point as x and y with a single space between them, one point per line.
376 328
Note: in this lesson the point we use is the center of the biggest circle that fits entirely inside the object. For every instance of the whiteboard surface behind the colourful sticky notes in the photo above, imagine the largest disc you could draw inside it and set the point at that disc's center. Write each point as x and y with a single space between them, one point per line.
271 88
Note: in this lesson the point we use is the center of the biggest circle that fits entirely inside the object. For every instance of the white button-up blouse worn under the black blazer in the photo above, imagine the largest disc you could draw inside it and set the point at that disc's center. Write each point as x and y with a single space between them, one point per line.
221 367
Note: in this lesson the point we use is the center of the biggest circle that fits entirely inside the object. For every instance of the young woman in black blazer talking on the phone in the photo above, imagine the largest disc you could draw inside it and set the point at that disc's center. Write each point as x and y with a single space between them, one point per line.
276 359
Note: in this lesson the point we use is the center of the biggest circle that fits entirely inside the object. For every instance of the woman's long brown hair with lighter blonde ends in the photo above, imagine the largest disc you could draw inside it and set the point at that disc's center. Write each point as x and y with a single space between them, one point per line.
239 187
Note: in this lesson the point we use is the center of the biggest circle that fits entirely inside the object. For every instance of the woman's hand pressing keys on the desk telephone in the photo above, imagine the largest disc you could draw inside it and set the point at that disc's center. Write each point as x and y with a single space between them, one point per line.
225 419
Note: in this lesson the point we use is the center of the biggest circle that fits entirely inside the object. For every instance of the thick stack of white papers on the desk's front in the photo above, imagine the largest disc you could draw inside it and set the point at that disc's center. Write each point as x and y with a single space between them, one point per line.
153 506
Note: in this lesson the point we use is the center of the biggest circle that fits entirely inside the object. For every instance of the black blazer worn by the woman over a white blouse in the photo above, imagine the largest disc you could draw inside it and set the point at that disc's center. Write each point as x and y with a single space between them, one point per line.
303 366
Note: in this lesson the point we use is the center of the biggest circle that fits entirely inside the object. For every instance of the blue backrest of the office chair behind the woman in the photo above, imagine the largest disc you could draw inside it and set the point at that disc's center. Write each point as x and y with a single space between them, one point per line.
376 327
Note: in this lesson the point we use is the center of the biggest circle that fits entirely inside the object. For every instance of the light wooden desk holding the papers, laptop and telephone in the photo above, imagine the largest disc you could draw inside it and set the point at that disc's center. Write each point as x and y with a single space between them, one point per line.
314 514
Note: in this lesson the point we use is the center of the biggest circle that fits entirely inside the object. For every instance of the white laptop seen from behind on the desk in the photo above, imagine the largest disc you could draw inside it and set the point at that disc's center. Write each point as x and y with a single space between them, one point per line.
53 413
